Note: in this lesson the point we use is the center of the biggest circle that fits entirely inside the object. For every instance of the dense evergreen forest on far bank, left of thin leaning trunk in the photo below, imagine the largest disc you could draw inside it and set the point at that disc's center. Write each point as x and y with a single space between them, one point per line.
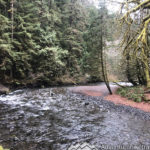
50 42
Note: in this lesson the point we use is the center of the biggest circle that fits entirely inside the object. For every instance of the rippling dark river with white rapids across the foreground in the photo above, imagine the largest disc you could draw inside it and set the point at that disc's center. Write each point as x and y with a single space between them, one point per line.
55 118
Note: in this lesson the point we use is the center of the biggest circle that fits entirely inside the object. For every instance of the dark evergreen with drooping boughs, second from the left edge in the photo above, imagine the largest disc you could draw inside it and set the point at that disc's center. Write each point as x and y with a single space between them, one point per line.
25 47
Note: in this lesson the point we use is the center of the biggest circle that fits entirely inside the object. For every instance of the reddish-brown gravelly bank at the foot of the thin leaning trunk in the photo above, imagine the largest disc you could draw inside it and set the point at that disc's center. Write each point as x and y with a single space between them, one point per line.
101 90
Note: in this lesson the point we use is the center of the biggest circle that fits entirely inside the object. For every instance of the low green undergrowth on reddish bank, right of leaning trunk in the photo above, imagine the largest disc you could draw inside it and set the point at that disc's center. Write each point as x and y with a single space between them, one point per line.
132 93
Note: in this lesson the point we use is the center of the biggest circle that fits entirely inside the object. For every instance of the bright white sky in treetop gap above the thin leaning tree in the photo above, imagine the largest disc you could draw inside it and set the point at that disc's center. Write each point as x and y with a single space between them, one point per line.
112 6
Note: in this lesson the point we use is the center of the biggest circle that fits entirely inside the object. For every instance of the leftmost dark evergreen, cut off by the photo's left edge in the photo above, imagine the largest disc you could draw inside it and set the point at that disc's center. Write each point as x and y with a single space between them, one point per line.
5 48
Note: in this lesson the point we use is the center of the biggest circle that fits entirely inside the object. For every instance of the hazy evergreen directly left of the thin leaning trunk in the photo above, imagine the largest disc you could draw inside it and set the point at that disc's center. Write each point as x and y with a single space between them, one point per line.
92 55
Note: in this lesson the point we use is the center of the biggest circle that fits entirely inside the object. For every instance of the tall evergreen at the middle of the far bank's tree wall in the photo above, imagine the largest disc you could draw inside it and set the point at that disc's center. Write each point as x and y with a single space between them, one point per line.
74 23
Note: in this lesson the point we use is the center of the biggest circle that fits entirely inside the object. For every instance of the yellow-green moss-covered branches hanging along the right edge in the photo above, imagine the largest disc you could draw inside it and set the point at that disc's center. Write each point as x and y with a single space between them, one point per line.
136 44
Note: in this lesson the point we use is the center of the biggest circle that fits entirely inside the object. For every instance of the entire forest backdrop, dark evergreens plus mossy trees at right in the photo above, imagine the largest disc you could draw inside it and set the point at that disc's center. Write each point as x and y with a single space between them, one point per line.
58 42
